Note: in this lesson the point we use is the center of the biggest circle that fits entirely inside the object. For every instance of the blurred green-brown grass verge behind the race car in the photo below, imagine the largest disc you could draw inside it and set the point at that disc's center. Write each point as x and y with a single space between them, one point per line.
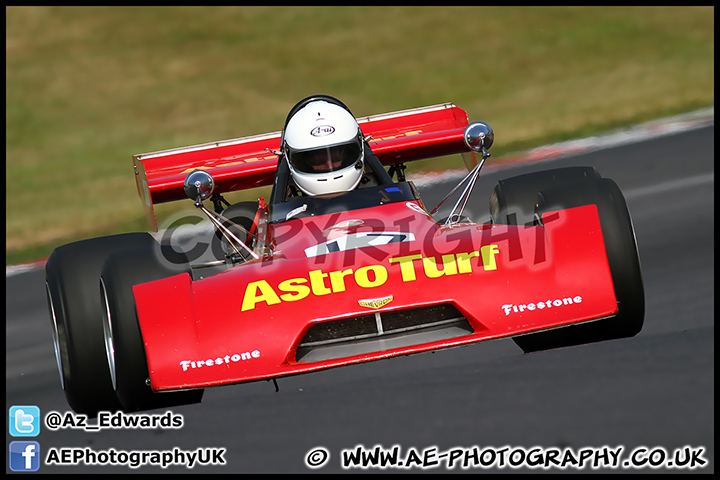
86 87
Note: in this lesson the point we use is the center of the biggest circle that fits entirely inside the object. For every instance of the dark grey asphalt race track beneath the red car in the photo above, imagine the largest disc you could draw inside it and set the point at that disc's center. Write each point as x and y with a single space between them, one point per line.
653 391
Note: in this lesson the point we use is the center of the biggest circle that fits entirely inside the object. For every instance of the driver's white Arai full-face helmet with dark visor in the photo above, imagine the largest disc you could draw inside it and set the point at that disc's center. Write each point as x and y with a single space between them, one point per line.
323 145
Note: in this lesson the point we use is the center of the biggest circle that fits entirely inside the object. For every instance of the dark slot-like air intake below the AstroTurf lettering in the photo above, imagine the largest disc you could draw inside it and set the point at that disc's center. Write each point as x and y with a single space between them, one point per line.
381 331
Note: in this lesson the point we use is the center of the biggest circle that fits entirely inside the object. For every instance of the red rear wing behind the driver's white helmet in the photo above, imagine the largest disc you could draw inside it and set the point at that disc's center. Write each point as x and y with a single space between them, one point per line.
250 162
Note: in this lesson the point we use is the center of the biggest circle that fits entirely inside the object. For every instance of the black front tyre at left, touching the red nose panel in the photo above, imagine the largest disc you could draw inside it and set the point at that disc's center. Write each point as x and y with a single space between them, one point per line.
125 348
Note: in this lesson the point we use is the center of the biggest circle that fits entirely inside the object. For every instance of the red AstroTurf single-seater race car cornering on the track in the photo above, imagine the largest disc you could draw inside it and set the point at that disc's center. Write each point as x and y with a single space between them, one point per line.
305 281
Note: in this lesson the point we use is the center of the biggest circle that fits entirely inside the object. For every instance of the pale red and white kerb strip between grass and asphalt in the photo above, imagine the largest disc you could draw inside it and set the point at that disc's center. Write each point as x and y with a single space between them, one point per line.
638 133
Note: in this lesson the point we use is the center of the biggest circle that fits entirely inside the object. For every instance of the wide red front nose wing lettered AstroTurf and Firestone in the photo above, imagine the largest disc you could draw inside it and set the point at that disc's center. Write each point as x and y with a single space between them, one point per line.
473 282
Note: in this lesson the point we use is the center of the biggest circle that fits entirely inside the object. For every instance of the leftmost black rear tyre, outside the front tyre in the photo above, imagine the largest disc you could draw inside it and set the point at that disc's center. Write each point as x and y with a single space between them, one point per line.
71 279
